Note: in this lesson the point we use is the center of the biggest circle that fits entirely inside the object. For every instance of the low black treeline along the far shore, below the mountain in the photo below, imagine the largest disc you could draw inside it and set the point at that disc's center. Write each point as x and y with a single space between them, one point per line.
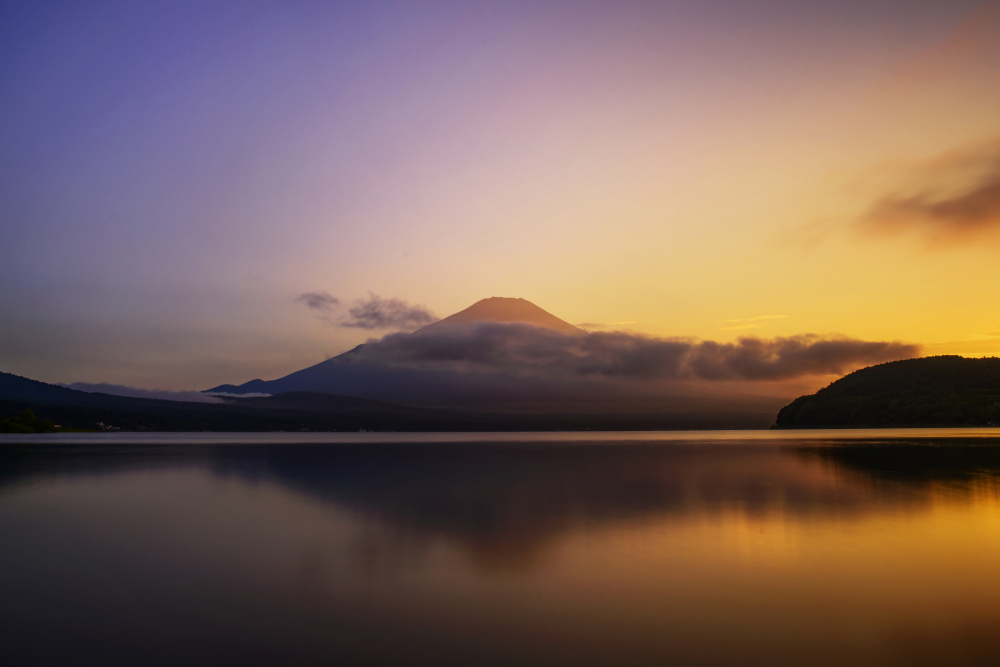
314 411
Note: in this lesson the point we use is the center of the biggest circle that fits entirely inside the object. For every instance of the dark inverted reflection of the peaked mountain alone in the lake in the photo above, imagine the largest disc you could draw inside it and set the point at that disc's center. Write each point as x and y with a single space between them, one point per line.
503 504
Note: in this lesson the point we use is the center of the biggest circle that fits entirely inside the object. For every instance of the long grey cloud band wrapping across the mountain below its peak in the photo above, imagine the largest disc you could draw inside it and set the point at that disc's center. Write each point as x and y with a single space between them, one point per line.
534 351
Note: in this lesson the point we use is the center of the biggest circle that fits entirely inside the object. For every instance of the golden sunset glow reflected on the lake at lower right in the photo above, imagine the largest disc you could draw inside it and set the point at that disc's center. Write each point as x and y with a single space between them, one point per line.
865 587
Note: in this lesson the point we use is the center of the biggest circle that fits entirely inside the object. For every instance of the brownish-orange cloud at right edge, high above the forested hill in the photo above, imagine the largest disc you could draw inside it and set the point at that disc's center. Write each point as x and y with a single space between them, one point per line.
954 197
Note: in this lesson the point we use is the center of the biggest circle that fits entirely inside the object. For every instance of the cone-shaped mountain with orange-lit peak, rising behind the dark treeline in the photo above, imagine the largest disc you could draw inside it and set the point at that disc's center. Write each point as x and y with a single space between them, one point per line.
505 356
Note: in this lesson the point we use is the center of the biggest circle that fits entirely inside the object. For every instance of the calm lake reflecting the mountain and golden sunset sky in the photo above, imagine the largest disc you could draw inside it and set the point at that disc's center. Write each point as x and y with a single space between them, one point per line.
861 548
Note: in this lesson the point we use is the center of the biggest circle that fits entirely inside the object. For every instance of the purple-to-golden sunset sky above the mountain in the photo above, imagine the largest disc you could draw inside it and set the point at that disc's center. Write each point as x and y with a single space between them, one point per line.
198 193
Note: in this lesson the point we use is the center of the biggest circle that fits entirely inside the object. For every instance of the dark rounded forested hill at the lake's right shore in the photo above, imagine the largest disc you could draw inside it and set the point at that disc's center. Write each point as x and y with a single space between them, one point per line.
933 391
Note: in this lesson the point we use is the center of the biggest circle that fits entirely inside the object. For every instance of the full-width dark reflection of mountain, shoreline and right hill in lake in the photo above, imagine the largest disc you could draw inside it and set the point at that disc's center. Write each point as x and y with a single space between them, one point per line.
503 504
